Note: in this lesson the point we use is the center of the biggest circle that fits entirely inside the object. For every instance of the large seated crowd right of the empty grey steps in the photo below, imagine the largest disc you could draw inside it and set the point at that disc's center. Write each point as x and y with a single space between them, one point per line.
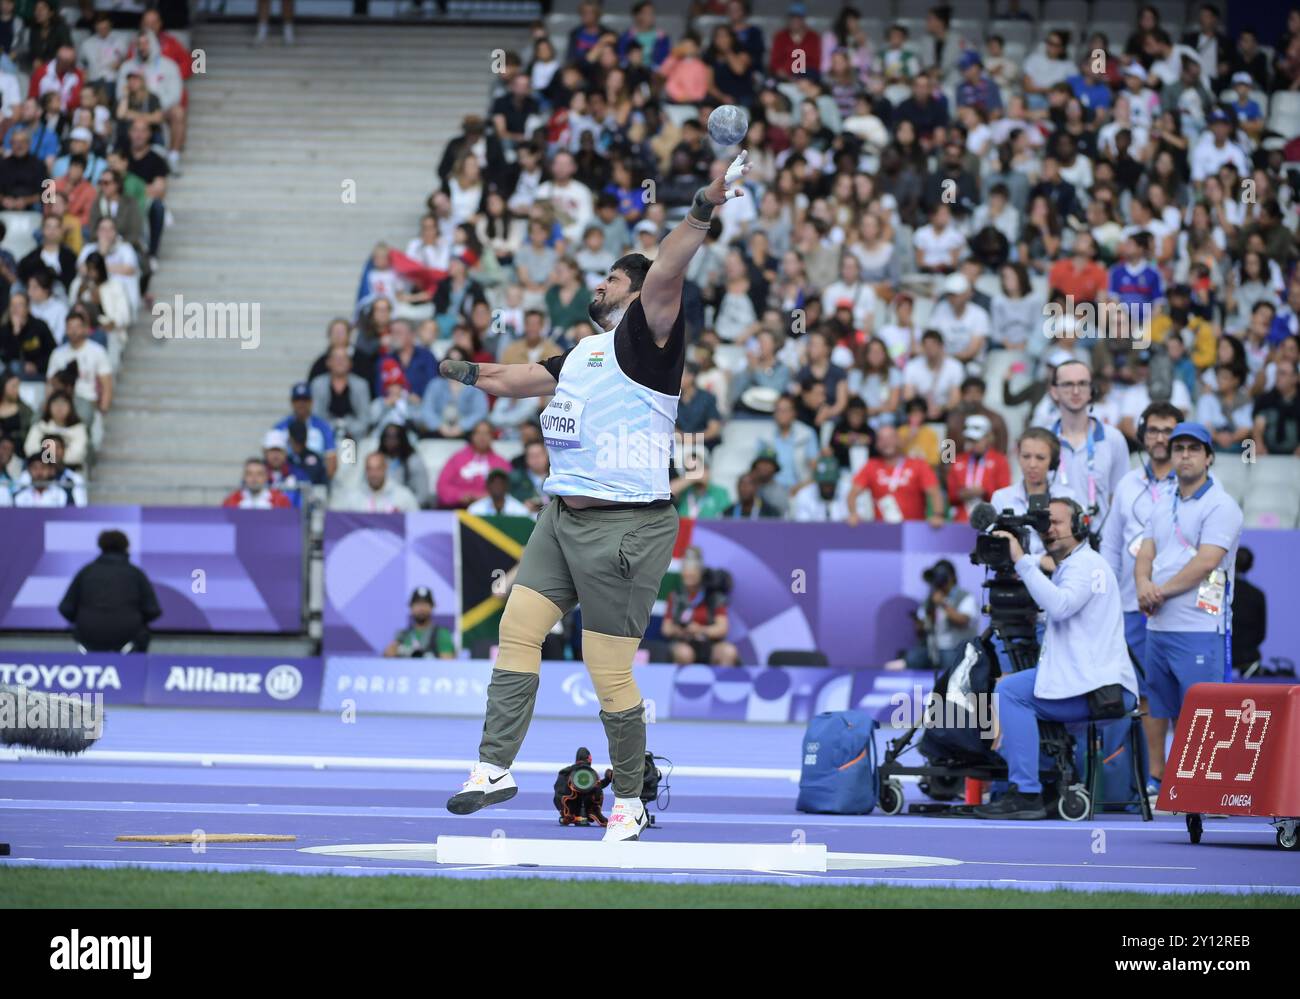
942 214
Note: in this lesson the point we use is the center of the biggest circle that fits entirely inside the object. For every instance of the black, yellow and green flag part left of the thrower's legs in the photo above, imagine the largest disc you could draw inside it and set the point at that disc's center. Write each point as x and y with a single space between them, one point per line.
489 548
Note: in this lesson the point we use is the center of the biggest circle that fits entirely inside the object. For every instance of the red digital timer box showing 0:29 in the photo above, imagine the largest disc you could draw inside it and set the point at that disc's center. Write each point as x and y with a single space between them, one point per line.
1237 753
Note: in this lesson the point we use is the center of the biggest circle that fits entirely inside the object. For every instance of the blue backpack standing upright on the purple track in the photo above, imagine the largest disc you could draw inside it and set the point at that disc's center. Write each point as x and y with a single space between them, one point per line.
840 764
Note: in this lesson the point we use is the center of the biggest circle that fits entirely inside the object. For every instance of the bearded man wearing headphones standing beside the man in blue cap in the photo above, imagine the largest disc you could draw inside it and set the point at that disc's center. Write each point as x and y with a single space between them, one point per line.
1134 500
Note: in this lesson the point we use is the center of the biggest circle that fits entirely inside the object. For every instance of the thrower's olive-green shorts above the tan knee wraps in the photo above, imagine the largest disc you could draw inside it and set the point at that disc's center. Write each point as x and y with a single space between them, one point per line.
610 563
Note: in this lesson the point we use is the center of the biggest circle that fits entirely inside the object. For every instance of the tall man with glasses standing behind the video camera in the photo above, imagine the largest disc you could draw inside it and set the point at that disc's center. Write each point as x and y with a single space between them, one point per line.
1094 456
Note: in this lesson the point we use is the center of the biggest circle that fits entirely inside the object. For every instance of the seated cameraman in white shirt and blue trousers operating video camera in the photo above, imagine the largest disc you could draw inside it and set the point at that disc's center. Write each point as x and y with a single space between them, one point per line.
1085 671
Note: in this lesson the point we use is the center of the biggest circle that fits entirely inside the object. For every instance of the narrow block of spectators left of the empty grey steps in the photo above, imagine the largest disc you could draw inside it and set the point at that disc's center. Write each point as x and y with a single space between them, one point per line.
93 124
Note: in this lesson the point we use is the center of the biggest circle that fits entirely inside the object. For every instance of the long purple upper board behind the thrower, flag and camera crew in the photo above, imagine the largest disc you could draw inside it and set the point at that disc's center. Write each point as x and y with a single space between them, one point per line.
848 591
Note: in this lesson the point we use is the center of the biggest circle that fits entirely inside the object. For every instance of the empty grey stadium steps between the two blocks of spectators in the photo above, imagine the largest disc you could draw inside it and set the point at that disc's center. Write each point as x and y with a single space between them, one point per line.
261 219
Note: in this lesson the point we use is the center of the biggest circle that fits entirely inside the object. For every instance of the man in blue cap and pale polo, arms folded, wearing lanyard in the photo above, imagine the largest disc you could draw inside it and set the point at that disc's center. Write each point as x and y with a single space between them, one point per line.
1184 574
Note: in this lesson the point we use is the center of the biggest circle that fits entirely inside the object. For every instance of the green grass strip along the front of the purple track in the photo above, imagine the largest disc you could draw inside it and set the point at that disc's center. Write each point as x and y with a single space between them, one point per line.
138 888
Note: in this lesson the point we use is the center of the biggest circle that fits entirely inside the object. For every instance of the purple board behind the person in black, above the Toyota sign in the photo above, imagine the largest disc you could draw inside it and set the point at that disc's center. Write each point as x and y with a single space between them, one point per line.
214 570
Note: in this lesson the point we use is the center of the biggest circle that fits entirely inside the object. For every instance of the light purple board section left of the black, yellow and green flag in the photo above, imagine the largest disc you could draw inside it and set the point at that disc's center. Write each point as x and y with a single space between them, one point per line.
372 565
